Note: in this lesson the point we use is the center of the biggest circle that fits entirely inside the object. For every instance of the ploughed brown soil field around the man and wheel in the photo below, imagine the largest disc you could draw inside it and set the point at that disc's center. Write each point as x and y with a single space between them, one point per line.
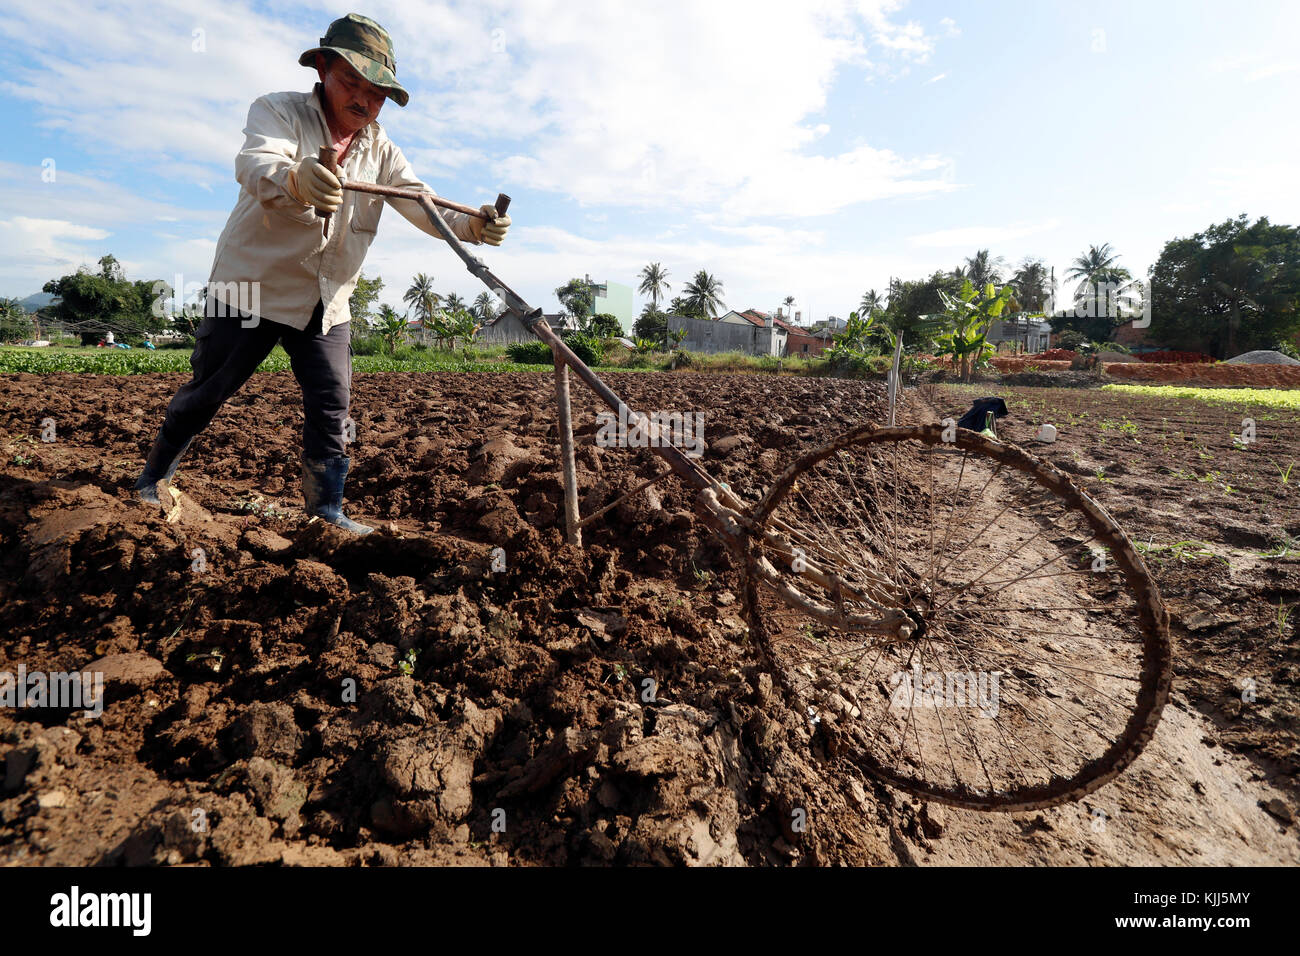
406 698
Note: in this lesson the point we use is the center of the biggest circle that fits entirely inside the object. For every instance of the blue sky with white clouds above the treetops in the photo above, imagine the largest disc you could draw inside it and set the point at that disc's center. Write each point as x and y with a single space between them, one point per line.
809 150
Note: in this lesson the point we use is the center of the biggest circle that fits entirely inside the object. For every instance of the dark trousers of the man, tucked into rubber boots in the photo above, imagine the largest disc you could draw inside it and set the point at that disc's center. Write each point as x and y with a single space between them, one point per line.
227 354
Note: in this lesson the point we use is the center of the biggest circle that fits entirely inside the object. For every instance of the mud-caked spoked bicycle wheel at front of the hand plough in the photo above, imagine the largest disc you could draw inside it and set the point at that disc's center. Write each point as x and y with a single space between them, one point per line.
970 626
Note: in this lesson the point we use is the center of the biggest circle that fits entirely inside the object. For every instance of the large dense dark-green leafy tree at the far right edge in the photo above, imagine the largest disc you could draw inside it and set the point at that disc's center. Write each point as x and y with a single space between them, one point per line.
1229 289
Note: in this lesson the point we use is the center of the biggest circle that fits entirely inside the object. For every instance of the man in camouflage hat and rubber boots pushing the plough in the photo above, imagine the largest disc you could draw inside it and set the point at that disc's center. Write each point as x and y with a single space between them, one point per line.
278 278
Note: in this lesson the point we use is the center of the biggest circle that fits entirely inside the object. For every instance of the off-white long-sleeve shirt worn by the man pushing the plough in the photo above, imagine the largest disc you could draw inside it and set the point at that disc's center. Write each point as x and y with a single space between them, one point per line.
275 241
